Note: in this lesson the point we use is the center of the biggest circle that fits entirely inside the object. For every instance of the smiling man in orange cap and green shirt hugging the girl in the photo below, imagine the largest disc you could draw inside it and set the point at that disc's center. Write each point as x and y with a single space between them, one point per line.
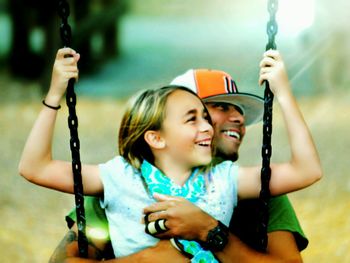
230 111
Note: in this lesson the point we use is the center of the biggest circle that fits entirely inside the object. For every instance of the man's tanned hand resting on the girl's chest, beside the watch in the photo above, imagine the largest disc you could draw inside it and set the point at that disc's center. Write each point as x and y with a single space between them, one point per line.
183 219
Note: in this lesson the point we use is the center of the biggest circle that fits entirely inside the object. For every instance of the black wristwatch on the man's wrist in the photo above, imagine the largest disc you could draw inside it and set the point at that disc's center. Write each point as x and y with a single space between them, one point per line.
217 238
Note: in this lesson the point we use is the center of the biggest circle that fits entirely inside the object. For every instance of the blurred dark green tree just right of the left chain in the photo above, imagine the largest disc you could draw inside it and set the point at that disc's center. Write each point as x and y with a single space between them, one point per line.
96 29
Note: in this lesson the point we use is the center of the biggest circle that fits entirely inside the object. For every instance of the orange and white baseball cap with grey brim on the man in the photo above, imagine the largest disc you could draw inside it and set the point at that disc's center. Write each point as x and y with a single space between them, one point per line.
218 86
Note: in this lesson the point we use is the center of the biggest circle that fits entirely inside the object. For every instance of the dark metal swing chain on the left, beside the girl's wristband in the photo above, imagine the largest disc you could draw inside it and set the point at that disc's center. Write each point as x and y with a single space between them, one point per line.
66 36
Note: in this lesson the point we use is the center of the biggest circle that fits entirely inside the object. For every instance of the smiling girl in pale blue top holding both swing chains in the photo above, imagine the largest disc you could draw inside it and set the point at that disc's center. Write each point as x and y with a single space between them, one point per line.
165 147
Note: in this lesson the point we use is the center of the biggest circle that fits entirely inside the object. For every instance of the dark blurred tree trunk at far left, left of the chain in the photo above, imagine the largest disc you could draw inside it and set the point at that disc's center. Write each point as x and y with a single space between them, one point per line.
27 16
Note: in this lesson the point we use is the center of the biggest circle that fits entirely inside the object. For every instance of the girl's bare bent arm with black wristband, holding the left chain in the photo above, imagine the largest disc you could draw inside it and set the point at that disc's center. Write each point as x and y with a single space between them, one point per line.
36 164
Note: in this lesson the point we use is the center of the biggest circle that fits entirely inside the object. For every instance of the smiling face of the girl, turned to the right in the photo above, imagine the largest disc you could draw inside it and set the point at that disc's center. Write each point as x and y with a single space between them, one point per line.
186 130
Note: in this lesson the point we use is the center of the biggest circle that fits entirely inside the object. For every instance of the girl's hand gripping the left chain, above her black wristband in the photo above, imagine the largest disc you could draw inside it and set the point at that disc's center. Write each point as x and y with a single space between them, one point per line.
64 68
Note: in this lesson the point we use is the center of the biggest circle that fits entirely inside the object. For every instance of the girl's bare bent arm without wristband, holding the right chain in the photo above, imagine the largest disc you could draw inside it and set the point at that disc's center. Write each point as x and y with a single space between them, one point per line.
303 168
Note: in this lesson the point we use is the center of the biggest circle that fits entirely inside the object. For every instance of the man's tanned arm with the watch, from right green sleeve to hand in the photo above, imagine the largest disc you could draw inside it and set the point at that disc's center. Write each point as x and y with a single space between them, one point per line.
187 221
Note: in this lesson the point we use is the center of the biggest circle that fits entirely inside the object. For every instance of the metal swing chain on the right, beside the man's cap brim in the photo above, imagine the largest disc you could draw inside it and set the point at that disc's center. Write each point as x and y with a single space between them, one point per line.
267 131
